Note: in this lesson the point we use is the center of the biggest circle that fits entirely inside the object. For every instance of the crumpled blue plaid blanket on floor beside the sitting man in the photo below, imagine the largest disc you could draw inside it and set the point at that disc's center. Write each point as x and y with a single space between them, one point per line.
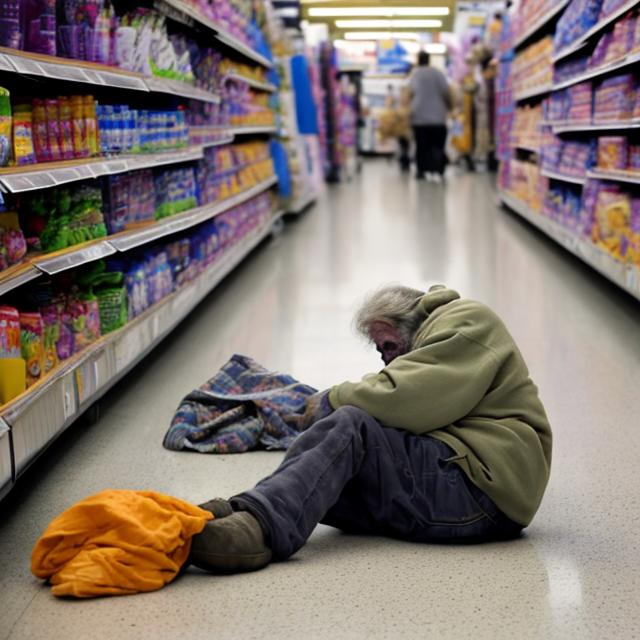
242 407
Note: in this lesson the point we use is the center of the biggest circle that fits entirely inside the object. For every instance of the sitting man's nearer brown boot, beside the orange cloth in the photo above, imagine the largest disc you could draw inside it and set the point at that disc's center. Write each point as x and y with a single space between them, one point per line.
232 544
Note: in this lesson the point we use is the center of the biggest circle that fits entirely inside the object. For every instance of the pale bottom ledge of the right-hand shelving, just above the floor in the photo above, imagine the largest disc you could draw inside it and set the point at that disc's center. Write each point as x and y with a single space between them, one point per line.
625 276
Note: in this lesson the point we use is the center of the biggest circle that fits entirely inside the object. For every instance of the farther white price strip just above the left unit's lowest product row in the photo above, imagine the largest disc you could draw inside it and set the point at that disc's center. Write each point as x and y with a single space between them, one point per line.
138 237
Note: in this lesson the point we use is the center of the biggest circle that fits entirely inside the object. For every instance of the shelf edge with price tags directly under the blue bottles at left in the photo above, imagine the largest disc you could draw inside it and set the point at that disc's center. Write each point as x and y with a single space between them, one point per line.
51 174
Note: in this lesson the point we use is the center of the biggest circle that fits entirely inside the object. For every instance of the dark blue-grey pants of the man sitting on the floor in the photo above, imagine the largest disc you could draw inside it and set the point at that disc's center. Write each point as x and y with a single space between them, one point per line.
350 472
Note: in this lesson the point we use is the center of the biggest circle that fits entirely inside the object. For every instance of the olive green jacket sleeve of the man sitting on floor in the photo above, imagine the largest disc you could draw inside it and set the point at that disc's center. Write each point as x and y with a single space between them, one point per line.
426 389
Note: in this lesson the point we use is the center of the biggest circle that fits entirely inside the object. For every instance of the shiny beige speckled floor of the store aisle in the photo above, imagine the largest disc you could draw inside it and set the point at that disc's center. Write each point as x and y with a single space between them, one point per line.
574 573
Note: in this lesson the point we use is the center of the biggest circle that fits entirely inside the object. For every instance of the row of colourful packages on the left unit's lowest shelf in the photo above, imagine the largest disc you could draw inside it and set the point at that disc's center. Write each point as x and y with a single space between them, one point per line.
48 324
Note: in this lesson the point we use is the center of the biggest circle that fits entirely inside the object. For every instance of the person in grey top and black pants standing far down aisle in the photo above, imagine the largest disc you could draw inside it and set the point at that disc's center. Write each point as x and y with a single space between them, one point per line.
430 104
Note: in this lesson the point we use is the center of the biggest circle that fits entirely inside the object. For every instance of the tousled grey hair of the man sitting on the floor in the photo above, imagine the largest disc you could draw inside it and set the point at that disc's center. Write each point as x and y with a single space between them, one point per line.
395 304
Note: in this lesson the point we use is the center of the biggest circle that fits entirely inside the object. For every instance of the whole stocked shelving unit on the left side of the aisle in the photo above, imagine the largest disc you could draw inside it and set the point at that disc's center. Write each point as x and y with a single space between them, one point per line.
119 238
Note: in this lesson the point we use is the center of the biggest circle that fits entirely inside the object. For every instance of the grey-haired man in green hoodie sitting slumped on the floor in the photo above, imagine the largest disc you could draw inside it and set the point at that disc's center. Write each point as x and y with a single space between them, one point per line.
449 442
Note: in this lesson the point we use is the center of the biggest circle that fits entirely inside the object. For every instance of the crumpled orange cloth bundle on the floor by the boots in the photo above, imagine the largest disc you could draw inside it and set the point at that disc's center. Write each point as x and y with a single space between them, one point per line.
117 542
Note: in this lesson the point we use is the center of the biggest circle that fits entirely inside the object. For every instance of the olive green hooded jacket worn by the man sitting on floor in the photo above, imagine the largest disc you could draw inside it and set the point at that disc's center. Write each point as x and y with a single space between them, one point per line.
465 383
